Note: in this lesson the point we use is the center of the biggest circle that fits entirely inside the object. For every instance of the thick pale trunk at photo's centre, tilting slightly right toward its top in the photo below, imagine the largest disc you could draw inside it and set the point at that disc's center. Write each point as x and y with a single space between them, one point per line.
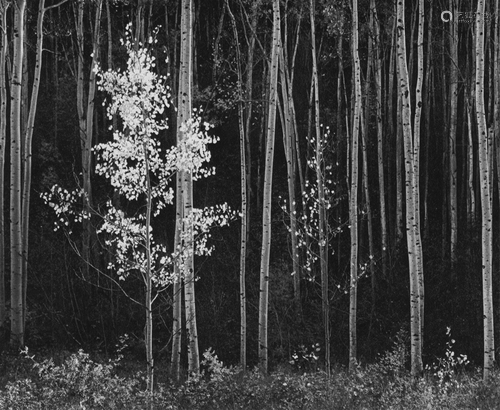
267 195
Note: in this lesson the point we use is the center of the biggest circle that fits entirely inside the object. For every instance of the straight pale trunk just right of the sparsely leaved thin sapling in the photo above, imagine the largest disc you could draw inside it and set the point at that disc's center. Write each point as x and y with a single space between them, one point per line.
353 206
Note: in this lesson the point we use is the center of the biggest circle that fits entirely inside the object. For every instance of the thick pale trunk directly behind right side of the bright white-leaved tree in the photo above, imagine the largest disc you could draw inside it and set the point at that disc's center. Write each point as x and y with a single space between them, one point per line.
184 113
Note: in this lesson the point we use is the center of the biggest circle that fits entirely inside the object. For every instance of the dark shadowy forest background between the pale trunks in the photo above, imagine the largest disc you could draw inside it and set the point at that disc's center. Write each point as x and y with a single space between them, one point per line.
69 306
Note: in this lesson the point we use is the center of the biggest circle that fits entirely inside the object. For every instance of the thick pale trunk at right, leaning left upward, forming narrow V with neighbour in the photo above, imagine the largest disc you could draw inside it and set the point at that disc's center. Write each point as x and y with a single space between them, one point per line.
411 143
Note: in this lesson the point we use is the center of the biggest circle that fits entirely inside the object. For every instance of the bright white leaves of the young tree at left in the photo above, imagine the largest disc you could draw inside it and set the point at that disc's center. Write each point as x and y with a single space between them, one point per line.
135 157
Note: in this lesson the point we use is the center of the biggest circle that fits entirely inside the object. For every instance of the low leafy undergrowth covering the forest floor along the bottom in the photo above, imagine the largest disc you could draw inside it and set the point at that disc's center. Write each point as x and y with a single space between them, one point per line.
79 382
